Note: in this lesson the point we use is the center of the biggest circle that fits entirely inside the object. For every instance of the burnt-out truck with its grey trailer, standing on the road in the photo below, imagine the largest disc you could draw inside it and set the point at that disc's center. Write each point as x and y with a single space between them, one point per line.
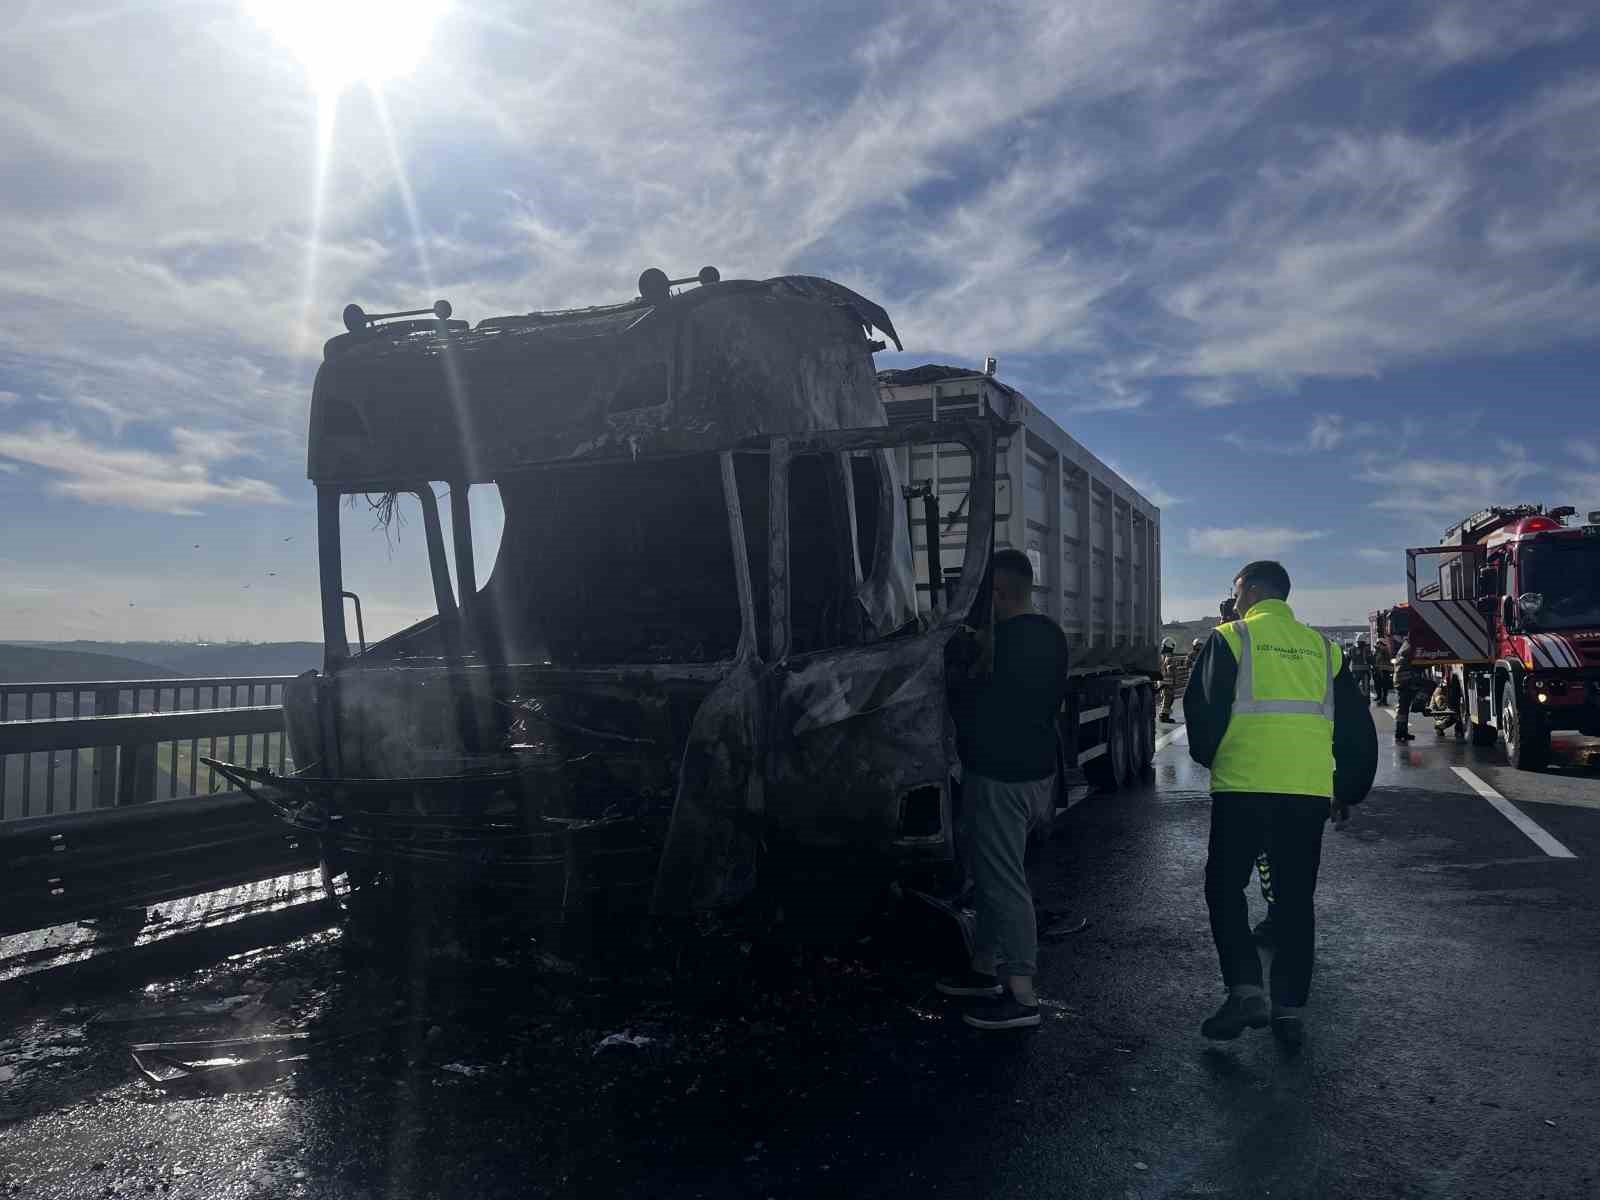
705 662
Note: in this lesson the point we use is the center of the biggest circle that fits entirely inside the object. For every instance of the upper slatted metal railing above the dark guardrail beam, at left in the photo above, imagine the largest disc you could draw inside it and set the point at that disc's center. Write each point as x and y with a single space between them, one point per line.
79 746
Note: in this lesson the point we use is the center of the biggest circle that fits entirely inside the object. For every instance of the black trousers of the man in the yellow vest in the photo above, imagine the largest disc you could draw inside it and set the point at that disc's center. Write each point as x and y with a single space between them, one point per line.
1289 830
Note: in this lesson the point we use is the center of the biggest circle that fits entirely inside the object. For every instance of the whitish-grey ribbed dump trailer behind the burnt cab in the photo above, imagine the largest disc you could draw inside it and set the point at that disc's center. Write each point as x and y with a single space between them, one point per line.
1094 540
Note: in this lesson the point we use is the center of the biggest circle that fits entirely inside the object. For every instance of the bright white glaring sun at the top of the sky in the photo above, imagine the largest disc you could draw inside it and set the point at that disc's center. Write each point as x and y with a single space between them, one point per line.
345 42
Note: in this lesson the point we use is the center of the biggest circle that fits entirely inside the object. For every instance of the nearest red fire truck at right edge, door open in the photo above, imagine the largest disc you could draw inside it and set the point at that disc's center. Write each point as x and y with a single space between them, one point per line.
1510 606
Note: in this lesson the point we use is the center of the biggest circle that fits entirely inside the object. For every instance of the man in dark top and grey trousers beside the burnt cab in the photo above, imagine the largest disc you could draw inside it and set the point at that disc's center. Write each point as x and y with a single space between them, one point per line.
1004 702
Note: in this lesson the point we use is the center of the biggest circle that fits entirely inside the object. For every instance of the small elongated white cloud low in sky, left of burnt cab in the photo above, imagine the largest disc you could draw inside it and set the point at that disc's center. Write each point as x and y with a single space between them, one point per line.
177 484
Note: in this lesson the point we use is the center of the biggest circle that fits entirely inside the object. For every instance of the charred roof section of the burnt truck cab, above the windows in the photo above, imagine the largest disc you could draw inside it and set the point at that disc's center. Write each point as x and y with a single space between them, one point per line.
700 370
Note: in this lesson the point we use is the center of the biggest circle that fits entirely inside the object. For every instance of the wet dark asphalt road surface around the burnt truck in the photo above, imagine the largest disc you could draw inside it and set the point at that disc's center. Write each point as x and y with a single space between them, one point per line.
1454 1046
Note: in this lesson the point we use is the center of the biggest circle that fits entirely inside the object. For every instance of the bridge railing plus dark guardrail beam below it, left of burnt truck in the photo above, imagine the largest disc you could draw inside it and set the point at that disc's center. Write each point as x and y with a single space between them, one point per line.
106 806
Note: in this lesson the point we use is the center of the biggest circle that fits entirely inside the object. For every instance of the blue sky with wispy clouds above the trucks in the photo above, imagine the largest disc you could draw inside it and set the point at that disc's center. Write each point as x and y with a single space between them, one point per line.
1318 278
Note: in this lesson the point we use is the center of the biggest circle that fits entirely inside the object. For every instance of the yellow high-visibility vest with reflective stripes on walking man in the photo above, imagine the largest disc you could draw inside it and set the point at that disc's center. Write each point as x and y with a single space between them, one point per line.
1281 735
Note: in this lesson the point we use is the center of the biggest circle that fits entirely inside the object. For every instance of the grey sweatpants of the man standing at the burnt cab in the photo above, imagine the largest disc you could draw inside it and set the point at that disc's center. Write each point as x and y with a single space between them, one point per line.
996 822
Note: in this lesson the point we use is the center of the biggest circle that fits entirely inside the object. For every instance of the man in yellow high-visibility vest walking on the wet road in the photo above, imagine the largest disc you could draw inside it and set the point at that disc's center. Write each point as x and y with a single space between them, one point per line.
1274 711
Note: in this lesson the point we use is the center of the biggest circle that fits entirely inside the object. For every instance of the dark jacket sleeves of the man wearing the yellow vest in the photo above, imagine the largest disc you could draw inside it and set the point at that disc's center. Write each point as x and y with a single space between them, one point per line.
1209 706
